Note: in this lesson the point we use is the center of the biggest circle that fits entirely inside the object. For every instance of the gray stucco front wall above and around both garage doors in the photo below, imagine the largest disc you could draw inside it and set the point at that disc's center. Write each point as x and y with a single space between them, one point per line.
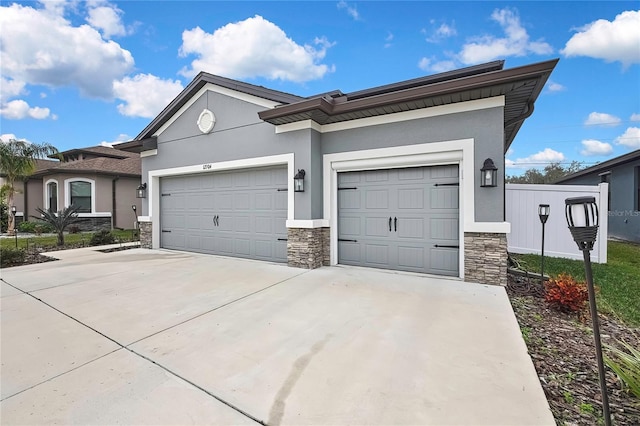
240 134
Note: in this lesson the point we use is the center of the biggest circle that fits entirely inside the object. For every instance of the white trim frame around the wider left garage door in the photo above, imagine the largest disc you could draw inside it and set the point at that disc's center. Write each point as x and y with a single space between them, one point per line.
153 182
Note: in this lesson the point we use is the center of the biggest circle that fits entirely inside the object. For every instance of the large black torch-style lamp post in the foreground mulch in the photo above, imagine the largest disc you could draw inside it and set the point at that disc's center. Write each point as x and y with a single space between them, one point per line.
582 218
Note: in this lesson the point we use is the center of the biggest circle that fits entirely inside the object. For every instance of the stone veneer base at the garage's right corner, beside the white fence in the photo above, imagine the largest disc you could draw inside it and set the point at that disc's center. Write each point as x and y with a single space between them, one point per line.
485 258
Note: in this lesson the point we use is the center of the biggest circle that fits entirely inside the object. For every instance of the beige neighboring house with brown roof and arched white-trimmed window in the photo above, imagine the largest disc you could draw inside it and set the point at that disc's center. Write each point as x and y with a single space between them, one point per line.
102 181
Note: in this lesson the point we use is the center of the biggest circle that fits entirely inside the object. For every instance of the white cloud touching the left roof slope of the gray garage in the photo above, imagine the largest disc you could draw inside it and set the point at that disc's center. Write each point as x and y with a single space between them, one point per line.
144 94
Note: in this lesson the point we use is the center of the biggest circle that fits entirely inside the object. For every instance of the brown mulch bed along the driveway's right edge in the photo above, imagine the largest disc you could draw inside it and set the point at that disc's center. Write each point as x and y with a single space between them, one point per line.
562 348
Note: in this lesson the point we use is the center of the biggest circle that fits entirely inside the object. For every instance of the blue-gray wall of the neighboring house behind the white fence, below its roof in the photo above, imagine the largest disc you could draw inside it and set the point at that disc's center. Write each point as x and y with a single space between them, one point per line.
623 215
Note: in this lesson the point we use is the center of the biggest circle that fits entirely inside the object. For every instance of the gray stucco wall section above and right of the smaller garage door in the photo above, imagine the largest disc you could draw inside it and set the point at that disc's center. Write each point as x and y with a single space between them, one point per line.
484 126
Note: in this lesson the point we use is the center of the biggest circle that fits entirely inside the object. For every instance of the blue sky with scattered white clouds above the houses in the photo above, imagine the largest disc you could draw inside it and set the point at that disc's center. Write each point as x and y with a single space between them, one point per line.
78 74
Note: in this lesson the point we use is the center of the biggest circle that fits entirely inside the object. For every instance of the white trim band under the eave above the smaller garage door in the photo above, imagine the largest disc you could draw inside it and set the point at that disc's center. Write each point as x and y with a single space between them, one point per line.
479 104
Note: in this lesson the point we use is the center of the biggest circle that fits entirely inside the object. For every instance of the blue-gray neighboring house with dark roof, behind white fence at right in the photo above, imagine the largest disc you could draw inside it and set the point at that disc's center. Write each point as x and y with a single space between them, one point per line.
623 176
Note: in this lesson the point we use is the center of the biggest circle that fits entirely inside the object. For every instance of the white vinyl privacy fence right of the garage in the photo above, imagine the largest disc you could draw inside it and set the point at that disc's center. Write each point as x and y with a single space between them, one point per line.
526 230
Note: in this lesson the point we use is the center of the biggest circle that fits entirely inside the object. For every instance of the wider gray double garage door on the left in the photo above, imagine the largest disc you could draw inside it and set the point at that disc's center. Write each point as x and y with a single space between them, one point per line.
238 213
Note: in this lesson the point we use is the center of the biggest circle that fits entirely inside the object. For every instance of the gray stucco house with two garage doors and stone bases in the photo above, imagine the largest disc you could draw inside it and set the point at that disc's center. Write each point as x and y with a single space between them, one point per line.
392 173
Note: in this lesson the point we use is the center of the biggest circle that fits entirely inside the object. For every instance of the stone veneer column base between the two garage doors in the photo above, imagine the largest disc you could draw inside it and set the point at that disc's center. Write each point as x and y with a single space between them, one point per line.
305 247
